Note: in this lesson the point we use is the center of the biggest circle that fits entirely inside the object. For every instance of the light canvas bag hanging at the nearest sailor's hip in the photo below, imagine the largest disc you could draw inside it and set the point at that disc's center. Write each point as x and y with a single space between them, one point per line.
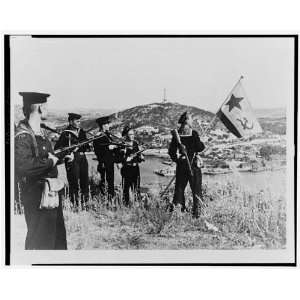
50 197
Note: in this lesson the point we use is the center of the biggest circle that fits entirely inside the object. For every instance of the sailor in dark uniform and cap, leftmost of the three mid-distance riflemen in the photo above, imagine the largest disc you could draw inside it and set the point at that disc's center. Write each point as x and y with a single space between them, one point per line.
77 169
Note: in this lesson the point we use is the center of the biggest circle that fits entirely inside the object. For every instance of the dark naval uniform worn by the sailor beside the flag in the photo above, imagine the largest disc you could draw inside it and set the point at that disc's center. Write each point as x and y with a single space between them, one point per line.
193 144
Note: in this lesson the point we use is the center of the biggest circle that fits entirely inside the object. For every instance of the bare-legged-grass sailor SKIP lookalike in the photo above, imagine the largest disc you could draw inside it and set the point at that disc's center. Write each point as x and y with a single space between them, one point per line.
130 170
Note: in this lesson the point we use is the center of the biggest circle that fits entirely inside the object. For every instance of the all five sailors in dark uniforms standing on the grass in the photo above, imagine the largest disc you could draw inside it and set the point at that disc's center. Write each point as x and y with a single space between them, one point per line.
36 161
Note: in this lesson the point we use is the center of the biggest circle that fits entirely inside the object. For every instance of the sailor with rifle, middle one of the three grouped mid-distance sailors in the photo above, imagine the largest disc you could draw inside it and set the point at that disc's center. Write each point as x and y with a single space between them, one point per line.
106 157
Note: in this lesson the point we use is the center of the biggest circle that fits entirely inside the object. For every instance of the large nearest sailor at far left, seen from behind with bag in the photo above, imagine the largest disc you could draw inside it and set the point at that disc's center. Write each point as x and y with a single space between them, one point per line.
34 161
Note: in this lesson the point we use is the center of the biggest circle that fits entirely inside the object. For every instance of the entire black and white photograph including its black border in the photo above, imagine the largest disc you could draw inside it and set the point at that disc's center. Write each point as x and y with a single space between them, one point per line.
151 149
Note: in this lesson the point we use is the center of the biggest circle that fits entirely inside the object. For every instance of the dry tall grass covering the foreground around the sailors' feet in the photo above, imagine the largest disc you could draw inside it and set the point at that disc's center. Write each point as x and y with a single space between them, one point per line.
234 218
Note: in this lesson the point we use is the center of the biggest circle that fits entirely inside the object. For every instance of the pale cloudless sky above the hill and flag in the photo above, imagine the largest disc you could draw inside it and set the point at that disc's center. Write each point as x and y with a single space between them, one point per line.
119 73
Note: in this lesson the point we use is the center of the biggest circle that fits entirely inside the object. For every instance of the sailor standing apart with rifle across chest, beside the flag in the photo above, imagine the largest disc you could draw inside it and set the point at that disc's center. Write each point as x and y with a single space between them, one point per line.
191 140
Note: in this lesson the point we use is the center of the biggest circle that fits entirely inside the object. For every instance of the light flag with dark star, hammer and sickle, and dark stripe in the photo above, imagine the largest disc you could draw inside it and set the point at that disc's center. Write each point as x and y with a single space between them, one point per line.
237 114
